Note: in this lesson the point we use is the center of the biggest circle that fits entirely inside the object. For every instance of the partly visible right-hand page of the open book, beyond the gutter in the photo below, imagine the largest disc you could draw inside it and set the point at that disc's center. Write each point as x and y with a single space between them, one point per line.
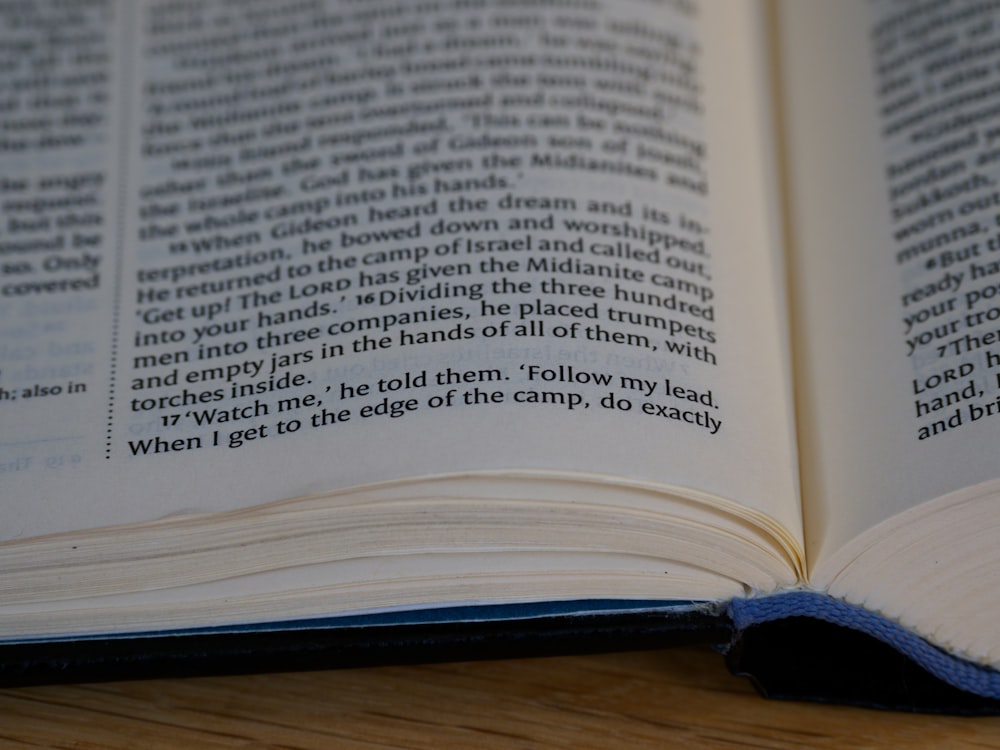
893 184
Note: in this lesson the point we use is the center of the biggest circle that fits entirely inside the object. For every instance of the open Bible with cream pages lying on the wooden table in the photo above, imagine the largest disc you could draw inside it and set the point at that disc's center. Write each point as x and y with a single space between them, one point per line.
316 313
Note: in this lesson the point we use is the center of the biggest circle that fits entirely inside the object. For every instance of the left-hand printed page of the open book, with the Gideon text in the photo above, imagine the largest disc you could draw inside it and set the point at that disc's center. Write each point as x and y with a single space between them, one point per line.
263 250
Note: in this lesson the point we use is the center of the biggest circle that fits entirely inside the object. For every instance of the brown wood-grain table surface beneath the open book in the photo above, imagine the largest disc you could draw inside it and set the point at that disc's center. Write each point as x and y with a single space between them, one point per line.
681 697
